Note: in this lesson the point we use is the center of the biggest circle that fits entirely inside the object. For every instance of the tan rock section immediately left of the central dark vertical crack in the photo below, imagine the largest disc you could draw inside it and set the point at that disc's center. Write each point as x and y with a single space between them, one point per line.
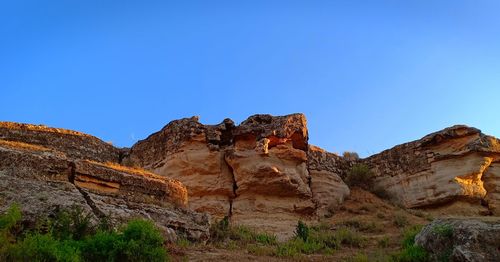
192 153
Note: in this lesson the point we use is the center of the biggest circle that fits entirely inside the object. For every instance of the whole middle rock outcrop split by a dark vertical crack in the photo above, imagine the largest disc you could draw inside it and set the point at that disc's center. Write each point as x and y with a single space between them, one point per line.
256 173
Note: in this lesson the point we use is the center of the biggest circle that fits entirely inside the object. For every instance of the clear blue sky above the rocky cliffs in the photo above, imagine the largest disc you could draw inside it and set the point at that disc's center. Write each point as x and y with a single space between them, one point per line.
367 74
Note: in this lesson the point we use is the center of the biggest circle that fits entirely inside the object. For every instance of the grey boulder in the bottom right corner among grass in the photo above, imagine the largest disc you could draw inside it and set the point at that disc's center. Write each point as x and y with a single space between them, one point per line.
454 239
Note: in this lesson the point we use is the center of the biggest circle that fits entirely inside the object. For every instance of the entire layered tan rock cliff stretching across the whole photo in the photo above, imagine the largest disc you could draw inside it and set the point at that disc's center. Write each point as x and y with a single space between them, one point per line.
261 173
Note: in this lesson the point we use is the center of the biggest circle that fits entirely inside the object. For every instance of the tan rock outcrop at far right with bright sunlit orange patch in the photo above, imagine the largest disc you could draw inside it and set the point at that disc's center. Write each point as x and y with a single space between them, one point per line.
443 167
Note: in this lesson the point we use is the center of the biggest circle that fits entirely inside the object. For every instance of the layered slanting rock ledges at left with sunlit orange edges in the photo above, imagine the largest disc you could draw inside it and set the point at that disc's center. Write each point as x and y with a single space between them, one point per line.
43 177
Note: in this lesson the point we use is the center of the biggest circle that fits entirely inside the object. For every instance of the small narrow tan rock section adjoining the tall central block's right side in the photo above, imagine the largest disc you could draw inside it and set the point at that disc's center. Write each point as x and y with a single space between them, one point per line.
326 171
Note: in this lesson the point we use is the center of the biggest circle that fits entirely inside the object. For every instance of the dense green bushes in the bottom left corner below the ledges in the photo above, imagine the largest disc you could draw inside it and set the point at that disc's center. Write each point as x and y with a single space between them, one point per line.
70 236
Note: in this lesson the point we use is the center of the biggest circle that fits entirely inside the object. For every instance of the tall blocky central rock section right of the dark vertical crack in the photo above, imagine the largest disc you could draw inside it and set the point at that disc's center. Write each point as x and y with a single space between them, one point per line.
269 163
